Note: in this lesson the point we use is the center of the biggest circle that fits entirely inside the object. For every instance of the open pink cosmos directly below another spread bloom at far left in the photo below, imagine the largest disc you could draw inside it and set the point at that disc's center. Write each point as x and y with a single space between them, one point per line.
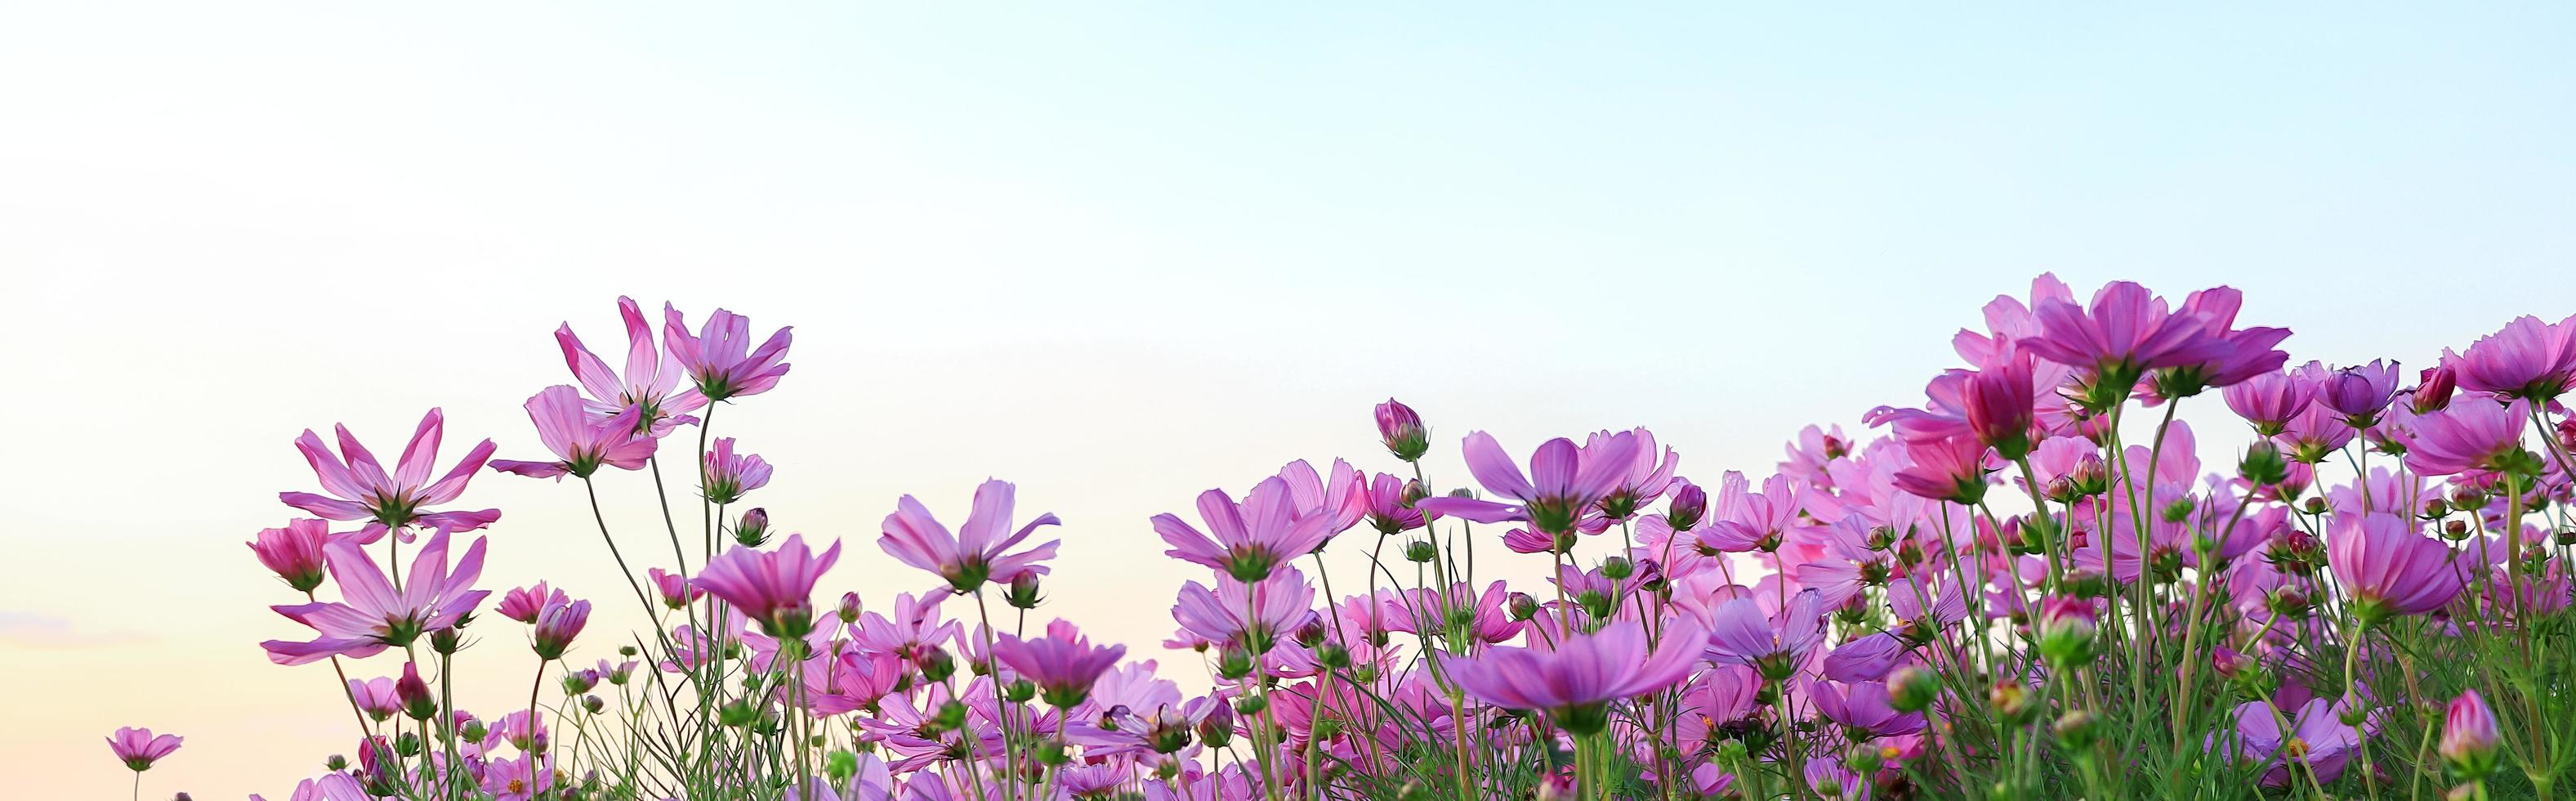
372 614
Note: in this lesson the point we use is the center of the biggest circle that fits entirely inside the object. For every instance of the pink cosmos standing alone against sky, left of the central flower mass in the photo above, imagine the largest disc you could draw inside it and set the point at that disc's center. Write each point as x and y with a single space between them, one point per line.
980 552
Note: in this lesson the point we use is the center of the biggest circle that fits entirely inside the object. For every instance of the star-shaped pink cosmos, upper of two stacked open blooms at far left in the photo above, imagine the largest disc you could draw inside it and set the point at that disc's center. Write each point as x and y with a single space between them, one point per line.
362 491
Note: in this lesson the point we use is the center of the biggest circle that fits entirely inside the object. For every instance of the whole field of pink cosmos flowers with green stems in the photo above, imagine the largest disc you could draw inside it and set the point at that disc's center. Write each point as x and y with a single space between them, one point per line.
2031 583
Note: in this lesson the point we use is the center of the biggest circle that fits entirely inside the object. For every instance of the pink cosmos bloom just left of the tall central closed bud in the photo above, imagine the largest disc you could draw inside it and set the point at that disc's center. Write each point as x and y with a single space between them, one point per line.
1253 537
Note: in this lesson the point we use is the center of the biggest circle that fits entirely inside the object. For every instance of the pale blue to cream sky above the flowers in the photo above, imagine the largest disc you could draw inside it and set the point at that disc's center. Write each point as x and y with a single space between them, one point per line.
1117 256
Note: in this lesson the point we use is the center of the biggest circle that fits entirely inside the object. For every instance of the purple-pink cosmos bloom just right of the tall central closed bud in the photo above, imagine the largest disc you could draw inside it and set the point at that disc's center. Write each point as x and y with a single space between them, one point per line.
1560 488
